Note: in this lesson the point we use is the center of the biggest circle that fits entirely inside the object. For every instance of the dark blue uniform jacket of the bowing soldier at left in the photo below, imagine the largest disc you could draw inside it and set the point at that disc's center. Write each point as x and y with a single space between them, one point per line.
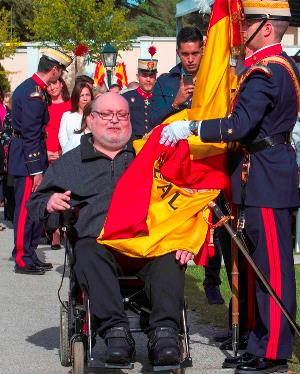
27 152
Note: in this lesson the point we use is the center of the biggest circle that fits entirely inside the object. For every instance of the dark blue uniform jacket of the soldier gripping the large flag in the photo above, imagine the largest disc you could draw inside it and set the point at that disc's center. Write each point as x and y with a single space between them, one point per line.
265 106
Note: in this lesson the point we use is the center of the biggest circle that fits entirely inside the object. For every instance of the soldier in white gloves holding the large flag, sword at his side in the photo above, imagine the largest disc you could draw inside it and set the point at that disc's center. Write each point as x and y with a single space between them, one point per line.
264 113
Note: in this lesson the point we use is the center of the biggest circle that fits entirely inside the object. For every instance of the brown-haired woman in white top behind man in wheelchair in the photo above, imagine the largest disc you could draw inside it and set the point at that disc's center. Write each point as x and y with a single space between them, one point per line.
81 95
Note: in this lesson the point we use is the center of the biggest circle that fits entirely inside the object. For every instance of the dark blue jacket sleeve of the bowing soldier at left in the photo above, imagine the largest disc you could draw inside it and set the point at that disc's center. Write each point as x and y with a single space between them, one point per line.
34 117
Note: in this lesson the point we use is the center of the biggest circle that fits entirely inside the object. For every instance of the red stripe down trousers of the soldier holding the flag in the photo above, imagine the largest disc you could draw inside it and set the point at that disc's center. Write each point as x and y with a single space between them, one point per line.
275 280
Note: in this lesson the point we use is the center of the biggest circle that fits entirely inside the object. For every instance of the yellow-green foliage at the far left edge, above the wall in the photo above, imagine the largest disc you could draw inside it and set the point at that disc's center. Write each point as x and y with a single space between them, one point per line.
7 44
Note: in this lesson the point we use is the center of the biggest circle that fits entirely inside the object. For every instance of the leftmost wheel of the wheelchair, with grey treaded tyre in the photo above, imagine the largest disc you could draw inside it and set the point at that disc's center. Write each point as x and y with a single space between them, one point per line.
64 336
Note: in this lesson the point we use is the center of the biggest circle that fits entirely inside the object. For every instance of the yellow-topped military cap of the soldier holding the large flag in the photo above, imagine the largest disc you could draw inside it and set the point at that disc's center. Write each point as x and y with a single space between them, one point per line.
271 9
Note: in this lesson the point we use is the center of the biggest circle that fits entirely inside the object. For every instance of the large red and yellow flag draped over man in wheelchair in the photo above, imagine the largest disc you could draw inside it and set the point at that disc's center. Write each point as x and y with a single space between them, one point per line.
159 204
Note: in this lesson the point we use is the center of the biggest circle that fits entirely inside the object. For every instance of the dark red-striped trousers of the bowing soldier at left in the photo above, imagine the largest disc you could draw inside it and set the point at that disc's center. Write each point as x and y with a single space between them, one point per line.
27 233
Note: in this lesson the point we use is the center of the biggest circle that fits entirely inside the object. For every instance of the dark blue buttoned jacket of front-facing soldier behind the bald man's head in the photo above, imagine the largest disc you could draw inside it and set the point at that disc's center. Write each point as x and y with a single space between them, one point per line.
139 109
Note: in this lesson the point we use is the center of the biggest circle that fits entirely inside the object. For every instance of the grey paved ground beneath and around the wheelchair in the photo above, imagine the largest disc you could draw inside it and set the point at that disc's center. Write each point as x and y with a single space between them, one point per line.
29 322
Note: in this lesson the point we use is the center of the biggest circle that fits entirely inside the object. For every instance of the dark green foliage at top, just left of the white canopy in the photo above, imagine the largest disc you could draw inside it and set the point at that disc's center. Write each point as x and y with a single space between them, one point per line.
155 18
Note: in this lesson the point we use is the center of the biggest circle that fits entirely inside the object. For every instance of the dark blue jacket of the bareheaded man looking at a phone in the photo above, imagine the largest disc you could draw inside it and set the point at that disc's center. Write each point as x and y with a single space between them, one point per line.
164 93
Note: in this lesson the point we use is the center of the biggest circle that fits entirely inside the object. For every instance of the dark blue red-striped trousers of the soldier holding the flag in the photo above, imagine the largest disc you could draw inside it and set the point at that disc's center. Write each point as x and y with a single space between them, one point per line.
269 235
